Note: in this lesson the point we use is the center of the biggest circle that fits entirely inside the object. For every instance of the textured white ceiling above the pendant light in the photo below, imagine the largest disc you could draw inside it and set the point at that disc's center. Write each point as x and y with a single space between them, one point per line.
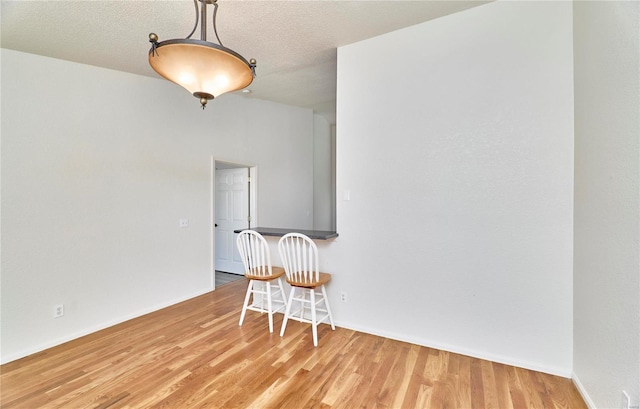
294 41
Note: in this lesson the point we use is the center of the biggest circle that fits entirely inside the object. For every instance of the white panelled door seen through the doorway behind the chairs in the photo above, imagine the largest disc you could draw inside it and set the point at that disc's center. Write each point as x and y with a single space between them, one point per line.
232 213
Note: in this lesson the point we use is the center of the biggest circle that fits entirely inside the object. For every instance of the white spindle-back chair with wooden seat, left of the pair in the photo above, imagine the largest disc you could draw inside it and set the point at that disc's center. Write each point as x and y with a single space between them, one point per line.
254 251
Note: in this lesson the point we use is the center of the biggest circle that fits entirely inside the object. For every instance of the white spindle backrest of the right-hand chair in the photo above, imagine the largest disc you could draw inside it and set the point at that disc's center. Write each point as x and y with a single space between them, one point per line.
299 256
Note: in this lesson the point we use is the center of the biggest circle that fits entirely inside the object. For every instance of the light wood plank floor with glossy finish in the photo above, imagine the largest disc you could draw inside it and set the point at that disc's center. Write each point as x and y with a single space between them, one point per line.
194 355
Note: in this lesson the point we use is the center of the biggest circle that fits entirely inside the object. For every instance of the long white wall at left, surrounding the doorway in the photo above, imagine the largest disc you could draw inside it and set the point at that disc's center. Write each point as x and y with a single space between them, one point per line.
98 166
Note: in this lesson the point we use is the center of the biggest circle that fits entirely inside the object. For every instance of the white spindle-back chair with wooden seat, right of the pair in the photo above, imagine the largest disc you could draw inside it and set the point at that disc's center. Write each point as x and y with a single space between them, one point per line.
300 260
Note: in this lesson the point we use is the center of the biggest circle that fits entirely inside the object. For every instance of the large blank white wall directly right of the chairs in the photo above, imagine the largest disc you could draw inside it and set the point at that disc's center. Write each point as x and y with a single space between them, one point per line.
455 140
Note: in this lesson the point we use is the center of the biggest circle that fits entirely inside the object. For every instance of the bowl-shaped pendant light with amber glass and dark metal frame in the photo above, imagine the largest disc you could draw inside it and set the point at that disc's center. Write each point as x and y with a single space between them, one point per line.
203 68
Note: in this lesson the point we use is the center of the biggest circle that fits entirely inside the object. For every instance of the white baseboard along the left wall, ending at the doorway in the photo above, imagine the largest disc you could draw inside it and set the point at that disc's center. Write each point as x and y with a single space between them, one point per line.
32 350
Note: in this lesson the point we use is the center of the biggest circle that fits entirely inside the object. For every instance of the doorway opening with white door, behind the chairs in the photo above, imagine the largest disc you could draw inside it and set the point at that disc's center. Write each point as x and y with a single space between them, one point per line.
234 207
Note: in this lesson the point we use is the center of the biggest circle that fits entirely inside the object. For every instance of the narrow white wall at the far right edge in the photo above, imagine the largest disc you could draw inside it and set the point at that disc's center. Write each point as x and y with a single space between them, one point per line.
607 221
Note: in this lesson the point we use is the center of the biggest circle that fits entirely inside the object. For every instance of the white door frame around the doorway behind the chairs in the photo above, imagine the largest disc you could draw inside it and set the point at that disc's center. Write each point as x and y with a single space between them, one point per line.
253 204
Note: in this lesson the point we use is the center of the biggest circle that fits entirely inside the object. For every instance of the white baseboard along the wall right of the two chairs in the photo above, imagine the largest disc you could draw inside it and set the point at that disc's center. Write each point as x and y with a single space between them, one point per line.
563 372
